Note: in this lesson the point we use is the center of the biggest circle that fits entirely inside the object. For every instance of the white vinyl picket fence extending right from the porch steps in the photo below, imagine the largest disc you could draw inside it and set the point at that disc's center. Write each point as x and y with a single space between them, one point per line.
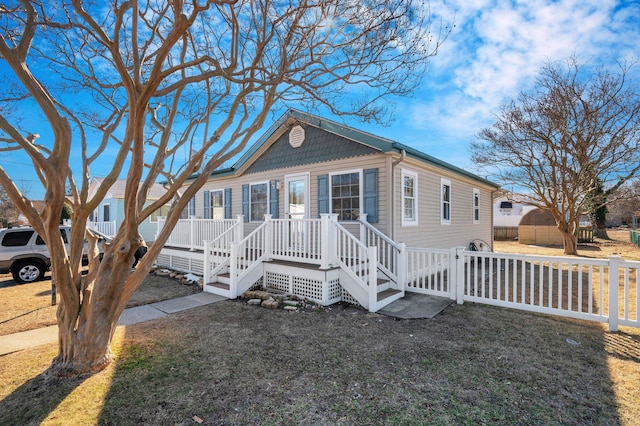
603 290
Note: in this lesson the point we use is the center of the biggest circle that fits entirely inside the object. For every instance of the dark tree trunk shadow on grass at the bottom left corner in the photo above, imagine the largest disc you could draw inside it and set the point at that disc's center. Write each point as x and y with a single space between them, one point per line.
37 398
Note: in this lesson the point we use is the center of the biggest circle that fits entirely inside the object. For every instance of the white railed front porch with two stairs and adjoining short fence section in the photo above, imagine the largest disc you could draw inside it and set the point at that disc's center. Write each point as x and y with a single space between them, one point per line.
317 259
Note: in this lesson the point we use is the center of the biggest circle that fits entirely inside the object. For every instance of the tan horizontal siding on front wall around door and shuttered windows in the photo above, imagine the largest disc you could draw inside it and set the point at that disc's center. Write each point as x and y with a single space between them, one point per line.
356 163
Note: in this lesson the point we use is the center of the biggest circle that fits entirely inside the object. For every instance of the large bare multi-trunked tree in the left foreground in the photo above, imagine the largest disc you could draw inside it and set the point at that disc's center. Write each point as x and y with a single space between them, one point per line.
146 81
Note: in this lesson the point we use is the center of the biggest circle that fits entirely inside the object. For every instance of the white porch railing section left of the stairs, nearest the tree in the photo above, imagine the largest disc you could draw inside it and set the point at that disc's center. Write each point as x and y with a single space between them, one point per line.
192 233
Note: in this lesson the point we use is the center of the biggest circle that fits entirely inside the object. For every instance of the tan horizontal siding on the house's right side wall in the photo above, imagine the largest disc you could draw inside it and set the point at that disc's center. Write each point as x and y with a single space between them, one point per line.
430 233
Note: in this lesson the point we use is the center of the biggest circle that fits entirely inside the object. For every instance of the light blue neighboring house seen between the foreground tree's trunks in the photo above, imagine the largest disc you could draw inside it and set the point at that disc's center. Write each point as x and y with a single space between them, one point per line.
110 214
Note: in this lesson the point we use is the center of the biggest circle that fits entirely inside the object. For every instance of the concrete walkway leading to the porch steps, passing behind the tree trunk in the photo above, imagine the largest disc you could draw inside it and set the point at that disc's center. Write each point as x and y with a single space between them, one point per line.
41 336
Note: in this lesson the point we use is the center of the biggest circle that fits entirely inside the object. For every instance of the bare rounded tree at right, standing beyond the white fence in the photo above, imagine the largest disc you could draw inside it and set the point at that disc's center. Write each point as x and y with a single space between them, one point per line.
570 142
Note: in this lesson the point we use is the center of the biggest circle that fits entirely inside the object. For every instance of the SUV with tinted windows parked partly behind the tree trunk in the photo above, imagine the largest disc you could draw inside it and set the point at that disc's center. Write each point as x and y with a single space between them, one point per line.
25 255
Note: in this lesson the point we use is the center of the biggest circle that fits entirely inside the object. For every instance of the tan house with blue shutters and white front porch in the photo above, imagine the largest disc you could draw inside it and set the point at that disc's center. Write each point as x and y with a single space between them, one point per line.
320 209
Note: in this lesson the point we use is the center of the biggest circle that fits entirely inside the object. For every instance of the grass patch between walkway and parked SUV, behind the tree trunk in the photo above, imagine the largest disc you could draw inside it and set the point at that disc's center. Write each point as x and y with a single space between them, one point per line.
28 306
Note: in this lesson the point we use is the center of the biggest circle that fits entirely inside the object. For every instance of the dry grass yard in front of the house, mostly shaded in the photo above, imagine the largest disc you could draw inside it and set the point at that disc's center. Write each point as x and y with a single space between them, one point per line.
230 363
